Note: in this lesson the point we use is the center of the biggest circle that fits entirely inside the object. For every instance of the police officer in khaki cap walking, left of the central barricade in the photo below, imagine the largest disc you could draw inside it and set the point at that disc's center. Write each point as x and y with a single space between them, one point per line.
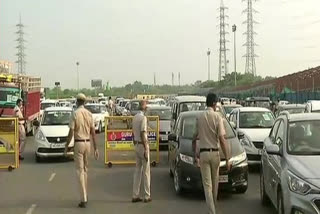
82 129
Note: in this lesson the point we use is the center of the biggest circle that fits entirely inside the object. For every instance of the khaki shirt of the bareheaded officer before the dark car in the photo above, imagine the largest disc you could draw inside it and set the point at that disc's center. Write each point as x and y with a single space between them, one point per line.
210 127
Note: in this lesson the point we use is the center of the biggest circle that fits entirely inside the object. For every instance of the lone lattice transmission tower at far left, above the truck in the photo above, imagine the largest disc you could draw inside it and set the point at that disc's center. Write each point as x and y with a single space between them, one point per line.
20 47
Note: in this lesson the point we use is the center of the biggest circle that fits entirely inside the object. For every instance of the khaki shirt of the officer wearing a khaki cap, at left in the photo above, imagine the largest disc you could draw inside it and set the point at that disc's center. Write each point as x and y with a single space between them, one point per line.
81 122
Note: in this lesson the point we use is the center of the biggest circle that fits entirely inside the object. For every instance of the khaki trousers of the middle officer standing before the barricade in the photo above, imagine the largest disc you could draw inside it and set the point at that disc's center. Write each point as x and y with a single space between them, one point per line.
142 168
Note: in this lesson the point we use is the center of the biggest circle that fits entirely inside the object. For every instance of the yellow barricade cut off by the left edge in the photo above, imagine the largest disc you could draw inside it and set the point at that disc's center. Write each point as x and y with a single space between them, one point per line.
9 143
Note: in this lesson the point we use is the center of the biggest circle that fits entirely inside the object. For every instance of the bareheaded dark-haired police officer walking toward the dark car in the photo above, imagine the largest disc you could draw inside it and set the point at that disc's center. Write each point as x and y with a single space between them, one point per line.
211 134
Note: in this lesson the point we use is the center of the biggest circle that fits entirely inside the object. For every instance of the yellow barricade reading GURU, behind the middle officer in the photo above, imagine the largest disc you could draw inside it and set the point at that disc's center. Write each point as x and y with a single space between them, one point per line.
119 147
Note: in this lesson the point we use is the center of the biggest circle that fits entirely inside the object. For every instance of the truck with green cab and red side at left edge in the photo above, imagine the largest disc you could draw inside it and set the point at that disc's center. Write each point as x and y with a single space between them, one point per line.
28 88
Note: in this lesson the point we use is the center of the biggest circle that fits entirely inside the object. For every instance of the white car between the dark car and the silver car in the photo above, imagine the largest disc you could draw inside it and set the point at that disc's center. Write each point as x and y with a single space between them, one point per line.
253 125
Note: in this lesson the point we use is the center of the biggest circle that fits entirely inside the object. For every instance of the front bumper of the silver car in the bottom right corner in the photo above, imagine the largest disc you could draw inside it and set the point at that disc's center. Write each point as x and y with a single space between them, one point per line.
303 203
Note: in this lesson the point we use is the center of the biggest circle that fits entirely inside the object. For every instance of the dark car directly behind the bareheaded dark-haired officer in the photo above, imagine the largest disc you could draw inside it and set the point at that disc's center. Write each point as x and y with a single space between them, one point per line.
182 165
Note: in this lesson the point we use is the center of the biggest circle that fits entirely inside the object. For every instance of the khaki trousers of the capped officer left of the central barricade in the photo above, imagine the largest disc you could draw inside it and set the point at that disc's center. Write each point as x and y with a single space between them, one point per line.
81 153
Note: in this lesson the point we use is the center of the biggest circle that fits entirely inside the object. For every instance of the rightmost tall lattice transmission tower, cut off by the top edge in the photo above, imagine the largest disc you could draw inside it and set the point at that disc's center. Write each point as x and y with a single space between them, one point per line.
250 44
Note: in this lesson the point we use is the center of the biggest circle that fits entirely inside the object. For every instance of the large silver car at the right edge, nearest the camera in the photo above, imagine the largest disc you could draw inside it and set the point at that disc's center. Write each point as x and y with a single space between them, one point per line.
290 175
